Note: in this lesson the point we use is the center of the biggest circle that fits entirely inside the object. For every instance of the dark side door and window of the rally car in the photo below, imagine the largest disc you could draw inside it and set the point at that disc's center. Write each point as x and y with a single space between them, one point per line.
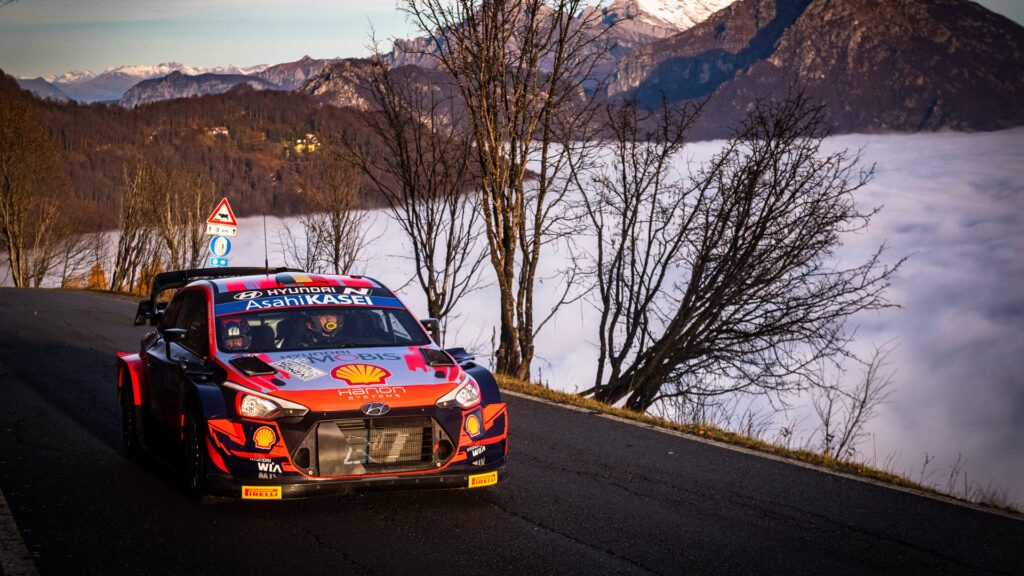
168 373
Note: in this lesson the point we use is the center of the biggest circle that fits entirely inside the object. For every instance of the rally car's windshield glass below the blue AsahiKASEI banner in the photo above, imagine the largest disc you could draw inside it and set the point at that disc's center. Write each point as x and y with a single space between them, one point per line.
318 327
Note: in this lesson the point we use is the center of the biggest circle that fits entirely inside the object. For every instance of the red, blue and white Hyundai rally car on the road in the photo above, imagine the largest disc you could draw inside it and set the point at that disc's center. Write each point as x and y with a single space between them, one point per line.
277 384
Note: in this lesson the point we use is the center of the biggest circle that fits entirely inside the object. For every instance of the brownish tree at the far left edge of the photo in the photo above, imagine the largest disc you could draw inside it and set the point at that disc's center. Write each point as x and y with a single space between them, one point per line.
31 185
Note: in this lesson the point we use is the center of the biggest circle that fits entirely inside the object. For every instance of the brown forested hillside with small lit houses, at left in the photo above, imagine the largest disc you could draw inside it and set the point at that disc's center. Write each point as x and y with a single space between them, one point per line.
255 147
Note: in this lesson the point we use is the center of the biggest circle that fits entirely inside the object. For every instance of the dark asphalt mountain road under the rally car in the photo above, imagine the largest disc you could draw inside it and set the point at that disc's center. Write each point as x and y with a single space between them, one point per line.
587 496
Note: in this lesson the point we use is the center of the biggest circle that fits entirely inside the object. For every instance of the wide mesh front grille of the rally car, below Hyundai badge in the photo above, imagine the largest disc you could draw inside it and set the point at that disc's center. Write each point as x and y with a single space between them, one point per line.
371 446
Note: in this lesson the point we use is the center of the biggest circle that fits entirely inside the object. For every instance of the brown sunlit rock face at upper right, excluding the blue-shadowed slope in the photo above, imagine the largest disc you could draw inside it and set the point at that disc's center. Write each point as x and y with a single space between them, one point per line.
909 66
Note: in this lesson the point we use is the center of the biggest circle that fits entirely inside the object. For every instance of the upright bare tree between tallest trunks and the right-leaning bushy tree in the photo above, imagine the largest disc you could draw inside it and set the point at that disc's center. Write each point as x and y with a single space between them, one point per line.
637 213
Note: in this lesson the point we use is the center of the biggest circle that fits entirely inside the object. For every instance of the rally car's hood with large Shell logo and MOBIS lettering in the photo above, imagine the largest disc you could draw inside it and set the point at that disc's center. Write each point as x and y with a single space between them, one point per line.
346 380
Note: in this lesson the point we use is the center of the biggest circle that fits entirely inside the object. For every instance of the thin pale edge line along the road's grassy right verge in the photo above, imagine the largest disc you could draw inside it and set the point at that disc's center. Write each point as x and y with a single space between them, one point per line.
777 458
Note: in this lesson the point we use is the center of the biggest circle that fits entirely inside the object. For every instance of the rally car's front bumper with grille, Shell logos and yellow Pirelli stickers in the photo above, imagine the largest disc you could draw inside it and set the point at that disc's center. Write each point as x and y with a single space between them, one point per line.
330 454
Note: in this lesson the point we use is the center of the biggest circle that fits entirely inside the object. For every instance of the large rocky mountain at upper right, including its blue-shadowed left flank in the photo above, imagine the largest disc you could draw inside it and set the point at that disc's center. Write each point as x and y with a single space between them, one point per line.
878 65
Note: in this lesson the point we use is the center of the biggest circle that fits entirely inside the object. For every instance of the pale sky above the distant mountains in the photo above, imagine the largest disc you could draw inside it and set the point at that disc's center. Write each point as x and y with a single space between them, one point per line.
52 37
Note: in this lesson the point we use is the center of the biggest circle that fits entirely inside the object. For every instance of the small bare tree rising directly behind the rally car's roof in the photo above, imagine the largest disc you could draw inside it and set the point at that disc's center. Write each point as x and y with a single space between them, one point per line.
333 228
